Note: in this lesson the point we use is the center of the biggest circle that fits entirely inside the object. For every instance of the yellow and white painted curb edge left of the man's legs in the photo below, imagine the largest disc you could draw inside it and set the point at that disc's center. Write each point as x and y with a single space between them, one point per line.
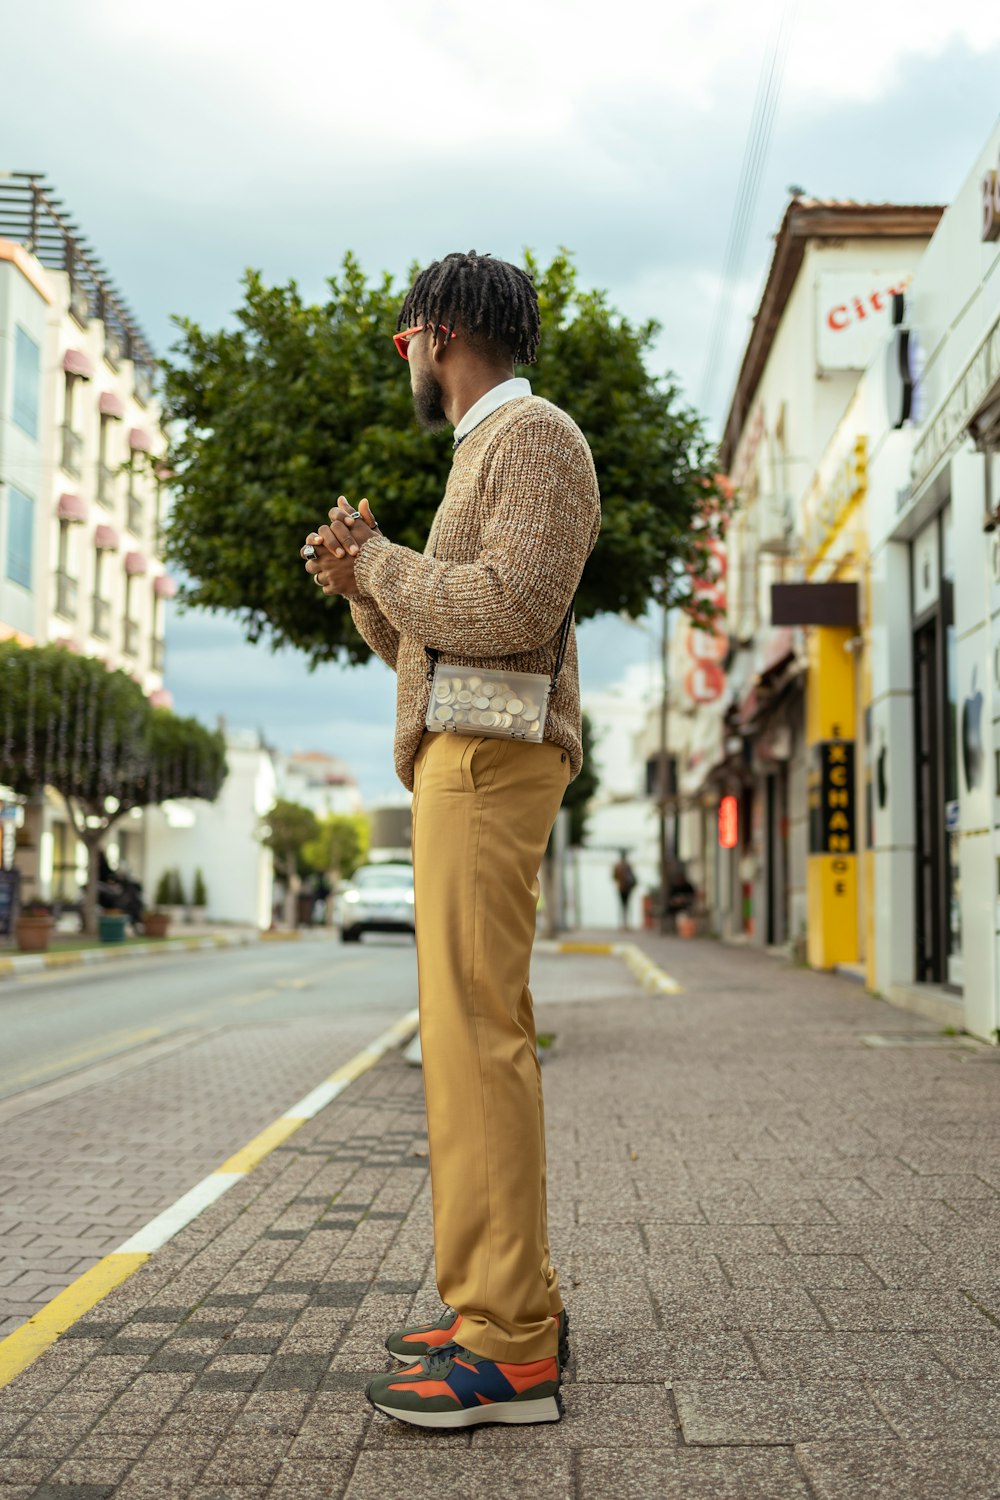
23 1348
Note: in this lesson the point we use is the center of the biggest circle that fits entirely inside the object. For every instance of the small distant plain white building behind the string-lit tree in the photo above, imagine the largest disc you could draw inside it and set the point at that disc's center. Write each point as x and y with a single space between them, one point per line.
221 839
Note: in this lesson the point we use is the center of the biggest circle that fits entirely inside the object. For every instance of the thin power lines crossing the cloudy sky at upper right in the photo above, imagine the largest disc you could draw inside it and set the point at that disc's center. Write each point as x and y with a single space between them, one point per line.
747 193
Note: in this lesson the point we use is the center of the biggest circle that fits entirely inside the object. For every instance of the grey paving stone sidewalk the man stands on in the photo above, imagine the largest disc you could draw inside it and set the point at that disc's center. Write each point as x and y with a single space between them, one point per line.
776 1204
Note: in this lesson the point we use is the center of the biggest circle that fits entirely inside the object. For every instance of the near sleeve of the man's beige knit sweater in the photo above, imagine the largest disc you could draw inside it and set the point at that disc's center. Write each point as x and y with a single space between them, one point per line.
542 517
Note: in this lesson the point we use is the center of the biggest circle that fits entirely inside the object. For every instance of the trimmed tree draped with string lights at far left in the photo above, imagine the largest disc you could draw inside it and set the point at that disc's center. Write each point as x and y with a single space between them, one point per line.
91 736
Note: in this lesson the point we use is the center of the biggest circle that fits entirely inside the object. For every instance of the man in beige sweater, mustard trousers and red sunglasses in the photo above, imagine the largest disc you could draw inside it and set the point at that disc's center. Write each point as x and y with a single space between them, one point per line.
519 518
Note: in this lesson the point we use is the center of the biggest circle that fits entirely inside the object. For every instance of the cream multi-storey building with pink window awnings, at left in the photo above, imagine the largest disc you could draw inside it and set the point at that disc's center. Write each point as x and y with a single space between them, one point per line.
80 493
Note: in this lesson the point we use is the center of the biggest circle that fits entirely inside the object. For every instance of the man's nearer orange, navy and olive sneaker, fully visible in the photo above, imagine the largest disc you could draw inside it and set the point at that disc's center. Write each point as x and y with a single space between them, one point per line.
454 1388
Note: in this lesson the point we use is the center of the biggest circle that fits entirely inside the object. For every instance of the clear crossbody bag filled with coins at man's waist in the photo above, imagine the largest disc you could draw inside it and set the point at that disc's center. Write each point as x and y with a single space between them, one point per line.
485 701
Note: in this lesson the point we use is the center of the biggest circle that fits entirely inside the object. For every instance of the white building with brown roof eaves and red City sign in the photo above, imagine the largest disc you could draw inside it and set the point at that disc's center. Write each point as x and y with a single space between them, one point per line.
824 313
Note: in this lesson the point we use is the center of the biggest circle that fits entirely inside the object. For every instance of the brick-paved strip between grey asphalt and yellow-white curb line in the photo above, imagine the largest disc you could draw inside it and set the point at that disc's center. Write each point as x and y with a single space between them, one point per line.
82 1174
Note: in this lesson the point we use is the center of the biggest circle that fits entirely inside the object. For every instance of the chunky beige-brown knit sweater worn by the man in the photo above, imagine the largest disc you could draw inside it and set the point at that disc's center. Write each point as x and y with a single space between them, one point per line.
519 518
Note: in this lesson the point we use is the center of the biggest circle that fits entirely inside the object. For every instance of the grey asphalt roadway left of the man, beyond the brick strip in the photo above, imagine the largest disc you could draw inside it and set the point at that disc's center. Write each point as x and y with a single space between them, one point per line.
58 1025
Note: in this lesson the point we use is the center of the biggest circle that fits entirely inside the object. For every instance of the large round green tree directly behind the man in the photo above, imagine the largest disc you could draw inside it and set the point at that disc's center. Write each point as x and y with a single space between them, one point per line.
302 401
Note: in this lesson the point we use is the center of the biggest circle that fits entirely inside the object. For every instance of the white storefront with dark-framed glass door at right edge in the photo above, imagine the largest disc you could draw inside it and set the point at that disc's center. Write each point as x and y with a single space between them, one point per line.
936 626
